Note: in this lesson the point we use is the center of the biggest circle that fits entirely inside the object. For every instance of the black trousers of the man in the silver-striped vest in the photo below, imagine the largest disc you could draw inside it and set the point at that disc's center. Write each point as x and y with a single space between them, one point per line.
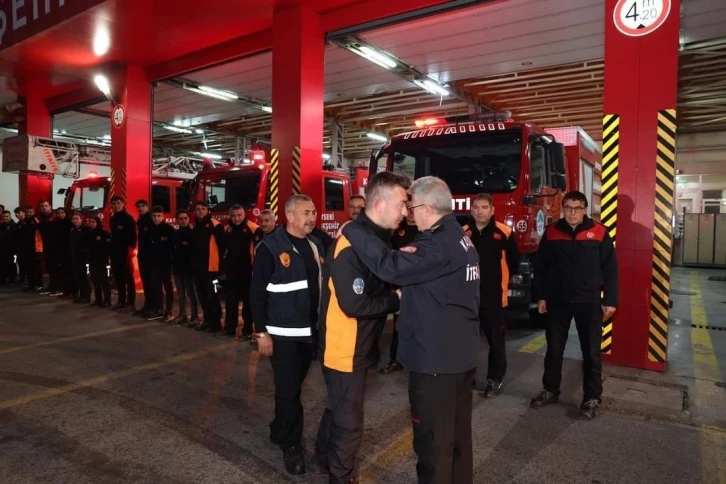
290 364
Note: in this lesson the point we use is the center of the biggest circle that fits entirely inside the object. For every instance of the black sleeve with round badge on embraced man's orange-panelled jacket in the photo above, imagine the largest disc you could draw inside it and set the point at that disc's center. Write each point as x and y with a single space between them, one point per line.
345 269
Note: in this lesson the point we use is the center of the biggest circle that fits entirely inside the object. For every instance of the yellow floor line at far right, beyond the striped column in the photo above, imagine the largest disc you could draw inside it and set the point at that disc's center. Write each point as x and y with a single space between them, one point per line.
706 371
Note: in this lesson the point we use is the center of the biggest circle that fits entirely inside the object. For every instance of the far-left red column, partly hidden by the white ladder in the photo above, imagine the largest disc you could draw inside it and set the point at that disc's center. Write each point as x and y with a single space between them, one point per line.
32 188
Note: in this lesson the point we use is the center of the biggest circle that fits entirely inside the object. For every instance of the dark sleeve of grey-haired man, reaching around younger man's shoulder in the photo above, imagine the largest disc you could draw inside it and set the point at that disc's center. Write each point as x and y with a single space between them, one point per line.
424 261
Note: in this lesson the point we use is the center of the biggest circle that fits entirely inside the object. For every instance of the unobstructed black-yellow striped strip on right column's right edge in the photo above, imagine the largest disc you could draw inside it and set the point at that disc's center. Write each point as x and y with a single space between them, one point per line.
662 236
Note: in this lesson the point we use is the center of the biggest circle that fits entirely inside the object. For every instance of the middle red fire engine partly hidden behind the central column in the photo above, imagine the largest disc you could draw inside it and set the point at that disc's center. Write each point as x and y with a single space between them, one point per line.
247 184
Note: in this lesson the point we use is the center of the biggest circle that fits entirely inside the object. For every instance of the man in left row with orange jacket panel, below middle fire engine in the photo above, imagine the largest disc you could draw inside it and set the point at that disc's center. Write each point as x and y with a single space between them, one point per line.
208 243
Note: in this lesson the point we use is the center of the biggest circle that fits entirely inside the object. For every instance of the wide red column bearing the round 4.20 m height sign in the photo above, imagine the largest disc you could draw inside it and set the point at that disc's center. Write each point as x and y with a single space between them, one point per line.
641 73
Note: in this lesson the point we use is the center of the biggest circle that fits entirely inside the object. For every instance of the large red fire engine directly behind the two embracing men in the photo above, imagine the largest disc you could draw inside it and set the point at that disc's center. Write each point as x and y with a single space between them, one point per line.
527 171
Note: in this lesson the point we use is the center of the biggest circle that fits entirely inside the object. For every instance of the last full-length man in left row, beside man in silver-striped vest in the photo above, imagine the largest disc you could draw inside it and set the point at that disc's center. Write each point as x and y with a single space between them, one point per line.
240 239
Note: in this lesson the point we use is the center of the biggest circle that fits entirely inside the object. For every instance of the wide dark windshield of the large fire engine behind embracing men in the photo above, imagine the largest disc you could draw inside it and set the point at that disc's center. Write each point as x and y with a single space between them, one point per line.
468 162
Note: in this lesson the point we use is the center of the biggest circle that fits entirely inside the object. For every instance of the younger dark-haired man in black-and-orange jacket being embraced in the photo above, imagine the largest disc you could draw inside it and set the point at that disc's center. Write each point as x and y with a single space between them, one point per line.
355 305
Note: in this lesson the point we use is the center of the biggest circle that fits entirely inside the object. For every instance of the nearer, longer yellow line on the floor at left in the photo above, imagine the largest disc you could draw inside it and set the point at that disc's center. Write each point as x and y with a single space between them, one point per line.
99 380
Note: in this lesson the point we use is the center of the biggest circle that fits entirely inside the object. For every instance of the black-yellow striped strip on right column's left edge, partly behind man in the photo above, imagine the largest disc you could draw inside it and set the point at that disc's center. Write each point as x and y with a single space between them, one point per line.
609 198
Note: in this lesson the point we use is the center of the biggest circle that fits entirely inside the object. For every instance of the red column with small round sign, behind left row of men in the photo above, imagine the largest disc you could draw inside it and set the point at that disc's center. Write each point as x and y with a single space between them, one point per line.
131 124
